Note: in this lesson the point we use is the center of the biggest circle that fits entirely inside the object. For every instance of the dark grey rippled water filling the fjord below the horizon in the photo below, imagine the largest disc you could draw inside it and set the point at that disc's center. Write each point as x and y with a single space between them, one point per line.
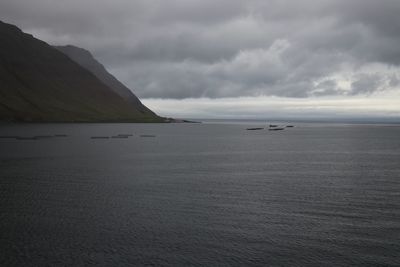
200 194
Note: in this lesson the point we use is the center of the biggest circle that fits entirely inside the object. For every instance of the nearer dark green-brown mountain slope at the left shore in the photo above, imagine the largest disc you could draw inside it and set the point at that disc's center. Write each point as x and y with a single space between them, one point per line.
38 83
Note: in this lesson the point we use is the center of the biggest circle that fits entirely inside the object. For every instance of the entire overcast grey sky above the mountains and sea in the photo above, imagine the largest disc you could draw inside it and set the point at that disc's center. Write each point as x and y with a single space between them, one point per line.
235 58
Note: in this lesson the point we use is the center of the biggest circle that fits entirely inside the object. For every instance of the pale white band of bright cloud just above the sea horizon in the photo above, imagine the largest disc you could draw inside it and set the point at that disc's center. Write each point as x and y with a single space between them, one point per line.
378 105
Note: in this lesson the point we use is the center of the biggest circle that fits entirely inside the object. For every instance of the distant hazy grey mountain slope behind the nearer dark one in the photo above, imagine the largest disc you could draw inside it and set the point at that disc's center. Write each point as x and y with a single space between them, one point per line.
86 60
